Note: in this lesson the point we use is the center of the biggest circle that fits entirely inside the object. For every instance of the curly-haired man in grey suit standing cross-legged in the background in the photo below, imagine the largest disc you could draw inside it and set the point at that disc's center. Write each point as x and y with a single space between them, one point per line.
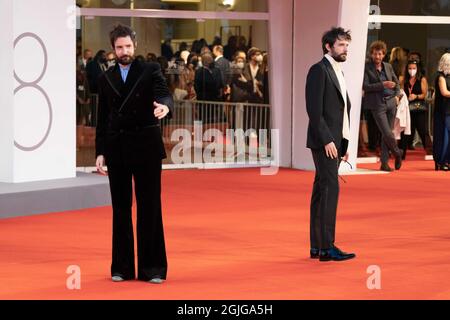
381 96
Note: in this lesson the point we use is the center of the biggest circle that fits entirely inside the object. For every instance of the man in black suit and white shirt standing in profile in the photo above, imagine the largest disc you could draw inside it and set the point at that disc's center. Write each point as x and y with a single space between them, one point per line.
328 107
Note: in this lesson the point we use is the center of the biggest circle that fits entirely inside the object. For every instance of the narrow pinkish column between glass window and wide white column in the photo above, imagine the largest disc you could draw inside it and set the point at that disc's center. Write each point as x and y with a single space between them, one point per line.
280 42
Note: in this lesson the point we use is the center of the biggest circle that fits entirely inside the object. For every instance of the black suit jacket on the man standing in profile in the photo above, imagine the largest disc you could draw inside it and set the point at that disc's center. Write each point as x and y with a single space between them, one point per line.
325 106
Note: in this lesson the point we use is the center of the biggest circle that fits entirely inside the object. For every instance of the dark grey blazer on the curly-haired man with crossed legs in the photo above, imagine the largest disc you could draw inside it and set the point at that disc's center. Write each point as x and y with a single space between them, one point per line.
373 87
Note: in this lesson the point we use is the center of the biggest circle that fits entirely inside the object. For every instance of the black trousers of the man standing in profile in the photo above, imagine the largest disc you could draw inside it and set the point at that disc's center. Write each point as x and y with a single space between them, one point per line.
324 201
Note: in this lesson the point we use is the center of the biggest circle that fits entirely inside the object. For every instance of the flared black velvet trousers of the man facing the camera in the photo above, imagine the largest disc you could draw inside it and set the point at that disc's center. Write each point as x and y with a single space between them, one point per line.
152 258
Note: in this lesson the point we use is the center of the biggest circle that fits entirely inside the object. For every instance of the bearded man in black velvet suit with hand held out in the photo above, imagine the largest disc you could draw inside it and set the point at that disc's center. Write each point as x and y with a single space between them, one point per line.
133 97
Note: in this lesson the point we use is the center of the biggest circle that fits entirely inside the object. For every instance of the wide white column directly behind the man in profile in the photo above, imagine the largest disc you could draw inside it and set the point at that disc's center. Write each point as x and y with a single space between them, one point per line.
312 19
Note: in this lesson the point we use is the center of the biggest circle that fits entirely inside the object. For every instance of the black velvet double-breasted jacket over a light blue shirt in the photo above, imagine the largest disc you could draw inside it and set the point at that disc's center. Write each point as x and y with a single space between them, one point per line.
127 129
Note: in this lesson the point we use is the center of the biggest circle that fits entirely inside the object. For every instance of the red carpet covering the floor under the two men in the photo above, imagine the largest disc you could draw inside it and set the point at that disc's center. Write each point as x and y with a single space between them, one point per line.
234 234
